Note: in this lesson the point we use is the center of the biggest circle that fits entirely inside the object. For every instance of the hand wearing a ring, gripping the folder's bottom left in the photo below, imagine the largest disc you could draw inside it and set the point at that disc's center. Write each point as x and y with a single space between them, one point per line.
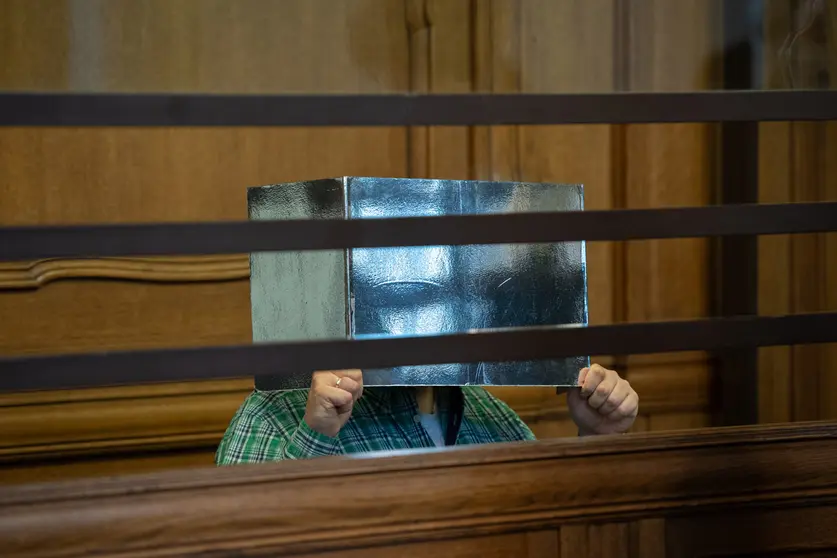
331 399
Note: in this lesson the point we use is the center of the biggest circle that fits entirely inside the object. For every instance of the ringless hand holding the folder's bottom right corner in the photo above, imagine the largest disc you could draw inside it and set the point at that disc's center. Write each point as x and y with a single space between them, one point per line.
604 403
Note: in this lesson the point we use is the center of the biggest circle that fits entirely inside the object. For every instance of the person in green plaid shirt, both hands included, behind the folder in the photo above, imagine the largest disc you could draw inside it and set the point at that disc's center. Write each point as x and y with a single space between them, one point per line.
336 416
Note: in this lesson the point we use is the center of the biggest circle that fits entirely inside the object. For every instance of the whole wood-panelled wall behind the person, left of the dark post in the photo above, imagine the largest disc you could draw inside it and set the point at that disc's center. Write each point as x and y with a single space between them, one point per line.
51 175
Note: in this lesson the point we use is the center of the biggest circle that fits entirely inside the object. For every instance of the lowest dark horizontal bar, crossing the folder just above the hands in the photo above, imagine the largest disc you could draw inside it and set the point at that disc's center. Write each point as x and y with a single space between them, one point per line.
132 367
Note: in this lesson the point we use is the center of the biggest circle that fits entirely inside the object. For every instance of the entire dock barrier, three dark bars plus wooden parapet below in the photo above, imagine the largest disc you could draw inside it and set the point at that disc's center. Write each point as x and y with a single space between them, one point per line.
746 491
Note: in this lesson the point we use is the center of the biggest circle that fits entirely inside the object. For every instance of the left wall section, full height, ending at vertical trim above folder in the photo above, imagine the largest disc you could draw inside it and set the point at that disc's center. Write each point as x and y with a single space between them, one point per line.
89 175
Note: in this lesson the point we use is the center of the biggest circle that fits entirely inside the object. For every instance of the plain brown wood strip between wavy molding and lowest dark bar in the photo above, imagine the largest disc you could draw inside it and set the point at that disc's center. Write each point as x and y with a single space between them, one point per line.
92 315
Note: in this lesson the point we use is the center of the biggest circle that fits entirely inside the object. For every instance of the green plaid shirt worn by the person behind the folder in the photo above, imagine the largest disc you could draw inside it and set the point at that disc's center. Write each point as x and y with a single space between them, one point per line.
269 427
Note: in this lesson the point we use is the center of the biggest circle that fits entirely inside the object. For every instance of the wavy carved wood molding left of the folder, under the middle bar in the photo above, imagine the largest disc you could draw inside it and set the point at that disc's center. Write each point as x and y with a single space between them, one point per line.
36 274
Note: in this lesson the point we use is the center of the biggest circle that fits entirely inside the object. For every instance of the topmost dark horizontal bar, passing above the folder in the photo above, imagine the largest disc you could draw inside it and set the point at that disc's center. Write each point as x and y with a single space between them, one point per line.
406 109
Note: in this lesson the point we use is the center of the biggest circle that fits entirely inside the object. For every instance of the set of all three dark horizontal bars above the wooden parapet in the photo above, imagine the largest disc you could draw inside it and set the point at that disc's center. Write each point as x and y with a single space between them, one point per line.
44 372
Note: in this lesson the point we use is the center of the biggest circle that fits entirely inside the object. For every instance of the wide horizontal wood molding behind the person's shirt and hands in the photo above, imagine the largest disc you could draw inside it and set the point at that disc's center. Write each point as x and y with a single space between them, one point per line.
186 415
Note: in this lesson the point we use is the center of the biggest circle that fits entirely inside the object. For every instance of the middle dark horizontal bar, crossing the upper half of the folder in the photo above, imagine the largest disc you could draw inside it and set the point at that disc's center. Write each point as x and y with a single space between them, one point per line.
23 243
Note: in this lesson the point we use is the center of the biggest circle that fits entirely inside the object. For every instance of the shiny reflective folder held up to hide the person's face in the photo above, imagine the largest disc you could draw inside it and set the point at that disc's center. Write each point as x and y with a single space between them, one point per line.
371 292
